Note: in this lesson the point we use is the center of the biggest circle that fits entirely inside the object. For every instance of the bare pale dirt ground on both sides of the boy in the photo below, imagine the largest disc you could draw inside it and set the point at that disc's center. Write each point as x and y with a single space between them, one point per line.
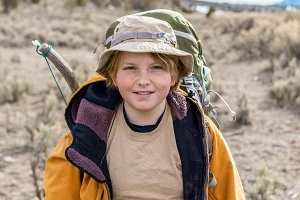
267 151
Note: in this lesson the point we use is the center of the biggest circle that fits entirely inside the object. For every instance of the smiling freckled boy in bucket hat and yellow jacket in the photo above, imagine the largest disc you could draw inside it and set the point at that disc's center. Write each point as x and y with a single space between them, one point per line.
133 134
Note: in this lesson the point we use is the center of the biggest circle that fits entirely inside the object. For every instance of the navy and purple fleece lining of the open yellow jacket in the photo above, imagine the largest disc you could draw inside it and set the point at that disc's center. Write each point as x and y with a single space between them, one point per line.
90 113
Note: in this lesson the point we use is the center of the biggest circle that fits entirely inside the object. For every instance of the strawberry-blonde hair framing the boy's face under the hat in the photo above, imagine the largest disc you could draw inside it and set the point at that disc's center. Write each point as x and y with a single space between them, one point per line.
172 63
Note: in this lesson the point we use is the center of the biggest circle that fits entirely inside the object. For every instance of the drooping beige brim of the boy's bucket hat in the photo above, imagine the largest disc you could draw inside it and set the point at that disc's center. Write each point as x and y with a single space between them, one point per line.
147 47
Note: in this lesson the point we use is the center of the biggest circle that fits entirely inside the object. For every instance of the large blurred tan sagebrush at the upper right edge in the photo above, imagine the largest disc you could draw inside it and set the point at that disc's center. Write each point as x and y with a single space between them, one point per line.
265 37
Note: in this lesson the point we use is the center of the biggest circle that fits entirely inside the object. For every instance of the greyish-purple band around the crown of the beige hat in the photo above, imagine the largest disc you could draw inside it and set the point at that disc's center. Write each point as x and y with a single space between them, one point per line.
141 35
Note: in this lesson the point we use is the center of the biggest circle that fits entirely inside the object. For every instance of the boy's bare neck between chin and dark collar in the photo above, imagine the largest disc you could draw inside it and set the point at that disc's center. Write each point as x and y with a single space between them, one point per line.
144 117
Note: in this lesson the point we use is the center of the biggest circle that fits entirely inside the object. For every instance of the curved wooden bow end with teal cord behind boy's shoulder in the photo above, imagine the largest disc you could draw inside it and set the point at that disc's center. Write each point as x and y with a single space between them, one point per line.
47 51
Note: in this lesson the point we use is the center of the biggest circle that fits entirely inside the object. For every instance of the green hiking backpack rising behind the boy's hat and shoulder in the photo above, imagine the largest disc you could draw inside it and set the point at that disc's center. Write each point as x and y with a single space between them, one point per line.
198 83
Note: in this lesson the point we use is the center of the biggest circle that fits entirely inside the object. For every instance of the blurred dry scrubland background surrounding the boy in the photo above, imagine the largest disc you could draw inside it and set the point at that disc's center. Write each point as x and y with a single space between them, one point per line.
252 48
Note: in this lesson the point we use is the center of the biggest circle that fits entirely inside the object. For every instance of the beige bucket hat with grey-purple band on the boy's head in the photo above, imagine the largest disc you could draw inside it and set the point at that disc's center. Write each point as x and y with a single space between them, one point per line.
141 34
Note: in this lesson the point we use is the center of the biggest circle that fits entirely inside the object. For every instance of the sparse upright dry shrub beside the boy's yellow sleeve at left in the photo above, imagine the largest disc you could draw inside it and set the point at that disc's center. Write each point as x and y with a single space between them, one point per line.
44 132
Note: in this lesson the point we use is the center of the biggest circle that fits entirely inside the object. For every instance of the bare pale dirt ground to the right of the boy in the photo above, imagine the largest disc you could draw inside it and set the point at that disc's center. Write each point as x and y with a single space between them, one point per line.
266 151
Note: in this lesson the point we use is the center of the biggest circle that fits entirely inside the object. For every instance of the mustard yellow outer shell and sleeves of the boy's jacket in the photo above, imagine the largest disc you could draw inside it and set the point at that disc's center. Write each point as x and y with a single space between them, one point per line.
64 181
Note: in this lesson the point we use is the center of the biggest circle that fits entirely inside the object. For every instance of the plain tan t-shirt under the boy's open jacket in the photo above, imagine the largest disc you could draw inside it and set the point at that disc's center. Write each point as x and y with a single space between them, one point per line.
144 165
